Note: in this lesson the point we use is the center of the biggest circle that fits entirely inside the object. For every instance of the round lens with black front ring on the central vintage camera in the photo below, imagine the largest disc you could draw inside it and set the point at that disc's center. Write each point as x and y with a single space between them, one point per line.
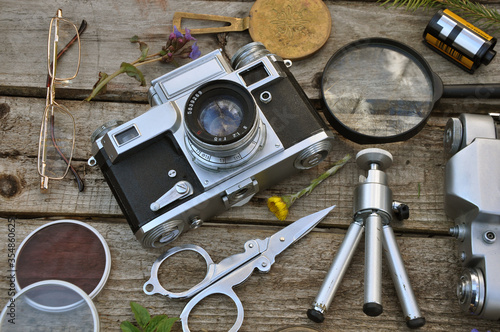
223 127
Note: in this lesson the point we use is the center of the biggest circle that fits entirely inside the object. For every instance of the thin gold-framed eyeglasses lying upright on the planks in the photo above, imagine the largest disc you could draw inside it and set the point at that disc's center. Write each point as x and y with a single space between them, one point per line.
57 132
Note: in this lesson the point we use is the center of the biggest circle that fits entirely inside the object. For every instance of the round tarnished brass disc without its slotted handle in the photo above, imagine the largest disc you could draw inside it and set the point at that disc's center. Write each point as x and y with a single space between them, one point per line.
292 29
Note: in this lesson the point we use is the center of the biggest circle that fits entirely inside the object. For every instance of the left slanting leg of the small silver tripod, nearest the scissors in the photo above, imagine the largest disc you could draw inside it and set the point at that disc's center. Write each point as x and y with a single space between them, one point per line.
336 273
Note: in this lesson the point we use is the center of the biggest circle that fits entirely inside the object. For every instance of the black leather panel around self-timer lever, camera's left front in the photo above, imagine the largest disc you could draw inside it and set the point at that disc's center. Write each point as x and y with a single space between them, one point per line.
141 177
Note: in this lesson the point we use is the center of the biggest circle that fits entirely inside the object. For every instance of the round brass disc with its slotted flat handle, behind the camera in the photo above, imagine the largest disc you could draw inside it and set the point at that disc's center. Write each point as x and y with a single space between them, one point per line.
290 29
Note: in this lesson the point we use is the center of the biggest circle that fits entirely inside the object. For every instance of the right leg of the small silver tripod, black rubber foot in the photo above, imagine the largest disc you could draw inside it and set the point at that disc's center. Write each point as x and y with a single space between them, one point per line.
401 281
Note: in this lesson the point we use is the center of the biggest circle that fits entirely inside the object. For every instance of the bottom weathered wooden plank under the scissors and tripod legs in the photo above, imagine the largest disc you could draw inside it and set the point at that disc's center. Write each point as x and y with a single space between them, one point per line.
281 297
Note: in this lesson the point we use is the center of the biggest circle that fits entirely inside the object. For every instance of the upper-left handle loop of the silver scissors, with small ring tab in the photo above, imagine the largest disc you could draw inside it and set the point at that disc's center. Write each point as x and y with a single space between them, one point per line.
152 286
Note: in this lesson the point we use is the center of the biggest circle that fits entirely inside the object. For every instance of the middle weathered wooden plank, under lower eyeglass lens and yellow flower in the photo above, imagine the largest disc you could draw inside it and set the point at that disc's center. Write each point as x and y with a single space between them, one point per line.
422 191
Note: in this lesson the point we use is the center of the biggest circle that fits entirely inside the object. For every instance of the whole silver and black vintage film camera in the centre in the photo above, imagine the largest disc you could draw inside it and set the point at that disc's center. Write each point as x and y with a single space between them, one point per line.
217 134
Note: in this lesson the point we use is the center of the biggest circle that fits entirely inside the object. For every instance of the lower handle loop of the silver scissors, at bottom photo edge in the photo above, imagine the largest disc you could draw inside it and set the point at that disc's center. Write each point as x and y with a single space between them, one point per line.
228 291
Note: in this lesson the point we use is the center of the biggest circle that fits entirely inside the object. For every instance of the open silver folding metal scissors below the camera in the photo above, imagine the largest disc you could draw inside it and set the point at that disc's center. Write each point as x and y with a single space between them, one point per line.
233 270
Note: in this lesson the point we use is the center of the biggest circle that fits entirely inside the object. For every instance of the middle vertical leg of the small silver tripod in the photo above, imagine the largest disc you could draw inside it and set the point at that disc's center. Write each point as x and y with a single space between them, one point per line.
373 265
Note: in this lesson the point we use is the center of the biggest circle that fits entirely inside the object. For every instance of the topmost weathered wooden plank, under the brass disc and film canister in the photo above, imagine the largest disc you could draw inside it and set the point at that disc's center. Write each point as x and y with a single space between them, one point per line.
106 44
